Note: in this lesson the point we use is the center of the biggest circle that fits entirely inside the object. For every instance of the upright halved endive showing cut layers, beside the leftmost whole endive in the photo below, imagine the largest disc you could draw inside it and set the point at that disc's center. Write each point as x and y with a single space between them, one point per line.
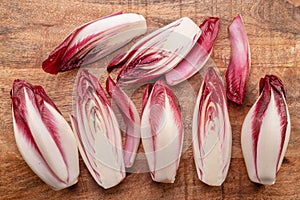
97 132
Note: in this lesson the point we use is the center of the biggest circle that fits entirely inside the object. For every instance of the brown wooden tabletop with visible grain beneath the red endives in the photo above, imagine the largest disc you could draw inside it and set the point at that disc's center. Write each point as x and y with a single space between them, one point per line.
29 30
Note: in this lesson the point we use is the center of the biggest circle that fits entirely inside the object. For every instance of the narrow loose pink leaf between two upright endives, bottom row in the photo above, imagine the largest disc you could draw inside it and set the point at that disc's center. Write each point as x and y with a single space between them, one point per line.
131 119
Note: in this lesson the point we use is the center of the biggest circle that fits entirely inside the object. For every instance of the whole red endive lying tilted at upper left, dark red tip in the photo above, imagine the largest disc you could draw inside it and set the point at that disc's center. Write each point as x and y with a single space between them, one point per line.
95 40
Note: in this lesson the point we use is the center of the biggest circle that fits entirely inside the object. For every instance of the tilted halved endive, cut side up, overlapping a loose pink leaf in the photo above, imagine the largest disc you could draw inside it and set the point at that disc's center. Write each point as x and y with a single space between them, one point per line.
157 53
